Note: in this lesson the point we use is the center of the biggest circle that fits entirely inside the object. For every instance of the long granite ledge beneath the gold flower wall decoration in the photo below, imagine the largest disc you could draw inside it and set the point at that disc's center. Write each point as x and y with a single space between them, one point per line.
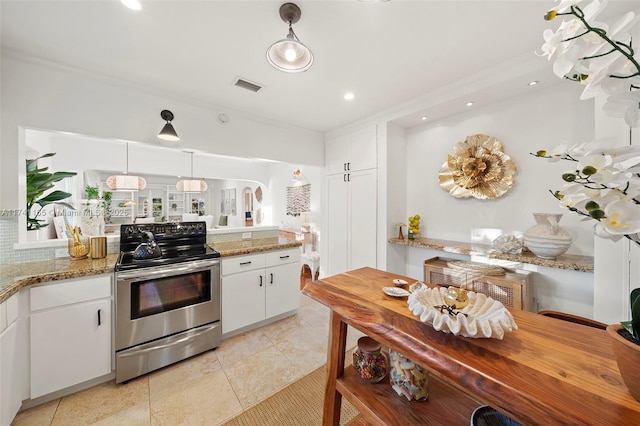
565 261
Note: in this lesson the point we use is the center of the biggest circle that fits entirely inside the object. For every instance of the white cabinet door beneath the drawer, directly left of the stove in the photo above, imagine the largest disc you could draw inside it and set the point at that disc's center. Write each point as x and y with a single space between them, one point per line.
70 345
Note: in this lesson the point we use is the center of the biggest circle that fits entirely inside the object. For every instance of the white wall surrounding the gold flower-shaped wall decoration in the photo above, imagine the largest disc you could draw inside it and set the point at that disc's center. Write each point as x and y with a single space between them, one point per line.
524 125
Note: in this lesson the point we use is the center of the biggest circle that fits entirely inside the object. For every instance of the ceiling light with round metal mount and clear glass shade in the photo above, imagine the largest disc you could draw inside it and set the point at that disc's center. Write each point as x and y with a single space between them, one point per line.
289 54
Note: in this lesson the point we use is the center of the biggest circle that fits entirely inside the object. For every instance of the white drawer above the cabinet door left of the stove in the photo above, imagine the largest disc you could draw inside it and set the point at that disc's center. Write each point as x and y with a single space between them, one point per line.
70 291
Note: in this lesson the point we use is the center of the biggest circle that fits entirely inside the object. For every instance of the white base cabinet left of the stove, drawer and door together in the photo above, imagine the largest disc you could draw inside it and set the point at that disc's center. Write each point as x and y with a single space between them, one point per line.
70 333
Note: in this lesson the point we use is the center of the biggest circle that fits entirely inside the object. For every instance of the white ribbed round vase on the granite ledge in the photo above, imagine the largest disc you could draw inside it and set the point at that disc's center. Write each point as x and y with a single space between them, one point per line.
547 239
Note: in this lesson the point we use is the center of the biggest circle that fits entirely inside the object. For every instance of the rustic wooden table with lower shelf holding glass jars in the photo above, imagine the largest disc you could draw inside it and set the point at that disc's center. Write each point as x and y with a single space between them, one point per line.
546 371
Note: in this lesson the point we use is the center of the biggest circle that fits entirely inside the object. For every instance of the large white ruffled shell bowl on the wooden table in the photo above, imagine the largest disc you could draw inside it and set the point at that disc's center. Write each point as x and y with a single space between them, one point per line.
486 317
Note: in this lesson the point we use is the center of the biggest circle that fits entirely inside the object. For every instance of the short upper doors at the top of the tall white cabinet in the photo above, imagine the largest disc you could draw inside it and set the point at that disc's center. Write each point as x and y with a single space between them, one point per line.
352 152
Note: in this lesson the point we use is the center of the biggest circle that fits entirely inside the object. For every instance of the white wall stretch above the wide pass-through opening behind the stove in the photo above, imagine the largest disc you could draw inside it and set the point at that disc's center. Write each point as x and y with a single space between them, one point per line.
43 96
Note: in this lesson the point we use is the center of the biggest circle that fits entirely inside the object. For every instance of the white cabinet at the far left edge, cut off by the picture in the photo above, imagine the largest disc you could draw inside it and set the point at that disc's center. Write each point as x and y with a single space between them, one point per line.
10 361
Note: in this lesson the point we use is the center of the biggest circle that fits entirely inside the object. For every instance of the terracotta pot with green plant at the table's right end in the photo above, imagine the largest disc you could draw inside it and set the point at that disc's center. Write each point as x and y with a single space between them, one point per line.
626 346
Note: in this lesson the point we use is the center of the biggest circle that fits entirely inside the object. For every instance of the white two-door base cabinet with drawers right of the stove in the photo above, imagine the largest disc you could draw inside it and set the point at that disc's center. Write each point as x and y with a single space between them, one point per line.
260 286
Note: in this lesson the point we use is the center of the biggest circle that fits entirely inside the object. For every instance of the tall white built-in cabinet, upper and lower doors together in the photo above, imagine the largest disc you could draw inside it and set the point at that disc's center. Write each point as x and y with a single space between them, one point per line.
351 202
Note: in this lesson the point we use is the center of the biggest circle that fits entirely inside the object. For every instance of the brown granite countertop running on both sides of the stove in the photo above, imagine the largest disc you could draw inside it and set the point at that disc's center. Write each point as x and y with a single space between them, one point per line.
16 276
